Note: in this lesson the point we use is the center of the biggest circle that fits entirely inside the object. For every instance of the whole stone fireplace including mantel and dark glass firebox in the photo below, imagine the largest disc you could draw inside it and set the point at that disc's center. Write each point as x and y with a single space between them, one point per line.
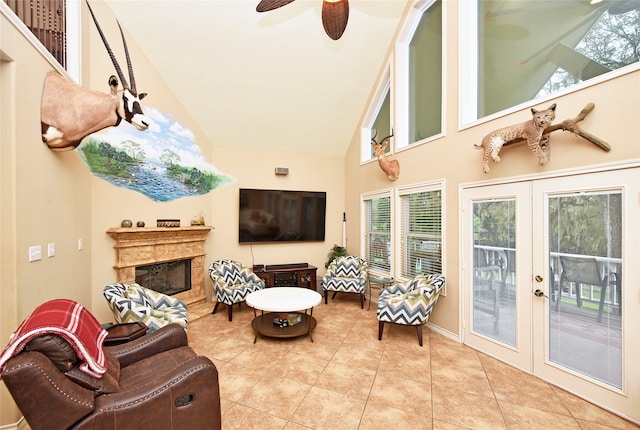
161 256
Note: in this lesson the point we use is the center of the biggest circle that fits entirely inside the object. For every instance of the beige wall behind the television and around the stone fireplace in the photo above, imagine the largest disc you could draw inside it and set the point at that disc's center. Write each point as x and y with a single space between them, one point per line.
251 169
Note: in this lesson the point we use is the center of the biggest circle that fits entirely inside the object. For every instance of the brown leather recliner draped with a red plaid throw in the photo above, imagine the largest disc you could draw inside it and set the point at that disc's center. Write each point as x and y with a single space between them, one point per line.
154 382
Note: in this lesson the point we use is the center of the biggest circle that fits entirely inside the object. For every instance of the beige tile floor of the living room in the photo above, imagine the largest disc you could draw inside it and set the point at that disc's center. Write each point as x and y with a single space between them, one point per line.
347 379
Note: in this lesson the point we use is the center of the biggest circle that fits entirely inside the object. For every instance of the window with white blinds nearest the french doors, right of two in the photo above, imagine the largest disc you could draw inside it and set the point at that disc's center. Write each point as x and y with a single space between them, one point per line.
420 215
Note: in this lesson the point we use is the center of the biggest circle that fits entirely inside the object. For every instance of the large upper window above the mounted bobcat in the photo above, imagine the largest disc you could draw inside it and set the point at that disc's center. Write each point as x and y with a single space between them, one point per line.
516 51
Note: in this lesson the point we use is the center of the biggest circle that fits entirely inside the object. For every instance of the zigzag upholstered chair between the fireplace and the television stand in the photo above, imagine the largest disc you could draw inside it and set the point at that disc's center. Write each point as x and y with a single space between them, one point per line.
232 282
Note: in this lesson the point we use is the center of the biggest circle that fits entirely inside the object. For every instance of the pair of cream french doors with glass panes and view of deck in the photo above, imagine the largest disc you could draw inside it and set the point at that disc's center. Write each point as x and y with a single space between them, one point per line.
548 281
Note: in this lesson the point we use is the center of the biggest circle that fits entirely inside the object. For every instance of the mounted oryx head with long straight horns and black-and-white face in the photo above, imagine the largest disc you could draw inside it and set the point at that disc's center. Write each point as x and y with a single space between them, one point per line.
68 112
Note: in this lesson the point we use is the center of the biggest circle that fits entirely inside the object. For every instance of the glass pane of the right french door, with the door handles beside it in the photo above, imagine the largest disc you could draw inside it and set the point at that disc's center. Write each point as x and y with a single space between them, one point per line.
585 247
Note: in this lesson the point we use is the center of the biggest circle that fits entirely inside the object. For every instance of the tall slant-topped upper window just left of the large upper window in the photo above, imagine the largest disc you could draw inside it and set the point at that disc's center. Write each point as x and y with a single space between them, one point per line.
420 76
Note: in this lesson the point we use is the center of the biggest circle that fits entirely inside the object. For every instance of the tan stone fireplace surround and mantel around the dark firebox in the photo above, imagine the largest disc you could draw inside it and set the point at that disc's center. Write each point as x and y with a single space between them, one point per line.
140 246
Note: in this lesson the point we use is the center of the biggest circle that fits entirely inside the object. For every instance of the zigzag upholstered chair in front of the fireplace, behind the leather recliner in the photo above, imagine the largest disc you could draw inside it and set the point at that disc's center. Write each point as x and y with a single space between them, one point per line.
134 303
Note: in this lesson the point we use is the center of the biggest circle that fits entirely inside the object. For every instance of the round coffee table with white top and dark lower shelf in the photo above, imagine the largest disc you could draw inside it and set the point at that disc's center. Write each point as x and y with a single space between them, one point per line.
277 300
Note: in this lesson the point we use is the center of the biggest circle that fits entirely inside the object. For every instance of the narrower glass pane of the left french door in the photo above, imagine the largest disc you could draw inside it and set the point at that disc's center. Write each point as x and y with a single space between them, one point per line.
494 270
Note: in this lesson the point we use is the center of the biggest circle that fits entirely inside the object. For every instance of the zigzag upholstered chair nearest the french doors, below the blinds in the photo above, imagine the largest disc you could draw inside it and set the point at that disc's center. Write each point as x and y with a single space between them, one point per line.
409 303
